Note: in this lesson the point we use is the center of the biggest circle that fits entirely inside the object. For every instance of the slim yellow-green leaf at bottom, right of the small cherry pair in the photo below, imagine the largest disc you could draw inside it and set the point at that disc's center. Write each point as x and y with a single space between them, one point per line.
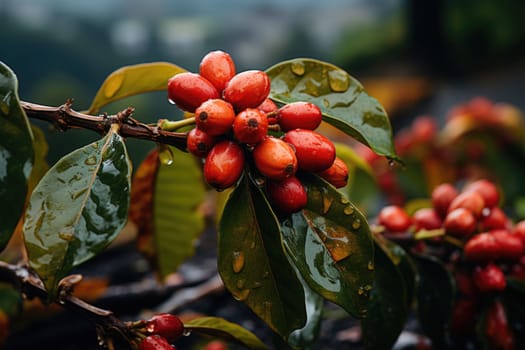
220 328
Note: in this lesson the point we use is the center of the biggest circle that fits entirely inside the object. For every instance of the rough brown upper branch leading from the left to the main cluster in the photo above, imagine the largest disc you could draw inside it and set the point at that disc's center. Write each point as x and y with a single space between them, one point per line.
64 117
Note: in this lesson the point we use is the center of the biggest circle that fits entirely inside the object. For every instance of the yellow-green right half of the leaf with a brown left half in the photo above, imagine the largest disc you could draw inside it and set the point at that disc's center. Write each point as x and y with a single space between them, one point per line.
177 219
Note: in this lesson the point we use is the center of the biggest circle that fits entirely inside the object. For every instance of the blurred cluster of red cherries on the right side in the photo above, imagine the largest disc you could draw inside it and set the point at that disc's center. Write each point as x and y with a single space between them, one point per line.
493 248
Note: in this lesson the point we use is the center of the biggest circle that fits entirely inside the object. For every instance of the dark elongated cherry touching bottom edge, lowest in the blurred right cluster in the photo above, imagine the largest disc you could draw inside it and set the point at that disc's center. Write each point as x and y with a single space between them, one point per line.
497 328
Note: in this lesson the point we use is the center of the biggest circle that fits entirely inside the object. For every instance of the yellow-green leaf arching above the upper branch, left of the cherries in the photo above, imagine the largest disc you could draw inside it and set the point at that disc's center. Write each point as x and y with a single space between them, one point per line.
133 80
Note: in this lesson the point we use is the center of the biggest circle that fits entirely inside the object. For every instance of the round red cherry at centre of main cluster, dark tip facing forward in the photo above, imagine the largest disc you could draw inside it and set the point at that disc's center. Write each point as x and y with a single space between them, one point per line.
250 126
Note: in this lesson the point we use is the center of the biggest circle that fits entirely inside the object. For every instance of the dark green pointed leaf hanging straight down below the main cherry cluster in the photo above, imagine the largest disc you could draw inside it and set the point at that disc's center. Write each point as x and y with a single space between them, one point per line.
252 262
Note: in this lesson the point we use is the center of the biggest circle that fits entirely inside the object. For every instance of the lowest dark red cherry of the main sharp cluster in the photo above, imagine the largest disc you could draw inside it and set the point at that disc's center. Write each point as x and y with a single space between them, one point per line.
287 196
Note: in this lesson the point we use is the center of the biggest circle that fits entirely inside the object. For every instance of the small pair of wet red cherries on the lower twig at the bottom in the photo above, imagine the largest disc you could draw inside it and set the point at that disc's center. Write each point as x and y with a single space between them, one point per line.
160 331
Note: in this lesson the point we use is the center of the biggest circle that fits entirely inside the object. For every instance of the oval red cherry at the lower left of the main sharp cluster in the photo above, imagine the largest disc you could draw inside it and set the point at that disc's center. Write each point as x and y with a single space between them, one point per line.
224 164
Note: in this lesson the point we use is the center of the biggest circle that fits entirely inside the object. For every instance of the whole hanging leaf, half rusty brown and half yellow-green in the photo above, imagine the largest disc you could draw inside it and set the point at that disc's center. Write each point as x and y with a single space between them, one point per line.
165 206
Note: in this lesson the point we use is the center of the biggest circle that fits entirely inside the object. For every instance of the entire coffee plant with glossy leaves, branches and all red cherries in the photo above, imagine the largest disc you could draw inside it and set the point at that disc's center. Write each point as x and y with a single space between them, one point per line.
292 236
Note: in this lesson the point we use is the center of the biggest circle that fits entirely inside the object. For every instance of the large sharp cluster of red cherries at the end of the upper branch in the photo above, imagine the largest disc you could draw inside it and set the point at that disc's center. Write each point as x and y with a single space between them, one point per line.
234 121
